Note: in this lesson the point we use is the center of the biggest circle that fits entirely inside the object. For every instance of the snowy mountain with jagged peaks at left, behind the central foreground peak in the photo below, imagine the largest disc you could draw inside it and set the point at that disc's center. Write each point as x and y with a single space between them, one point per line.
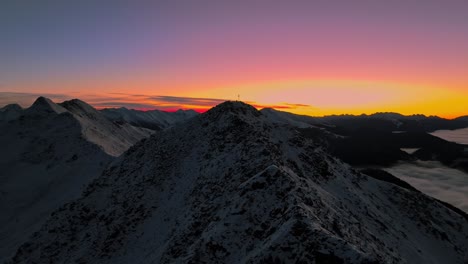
48 154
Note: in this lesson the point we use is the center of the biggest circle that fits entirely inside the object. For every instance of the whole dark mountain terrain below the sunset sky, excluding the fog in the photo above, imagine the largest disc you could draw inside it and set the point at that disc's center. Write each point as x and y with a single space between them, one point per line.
232 185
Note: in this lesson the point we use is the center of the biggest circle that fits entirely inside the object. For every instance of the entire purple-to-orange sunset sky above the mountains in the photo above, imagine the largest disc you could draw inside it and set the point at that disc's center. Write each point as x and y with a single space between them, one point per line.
306 57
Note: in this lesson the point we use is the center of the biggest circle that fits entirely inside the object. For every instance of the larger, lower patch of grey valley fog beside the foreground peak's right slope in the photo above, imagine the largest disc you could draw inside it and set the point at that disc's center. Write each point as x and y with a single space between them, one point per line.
435 179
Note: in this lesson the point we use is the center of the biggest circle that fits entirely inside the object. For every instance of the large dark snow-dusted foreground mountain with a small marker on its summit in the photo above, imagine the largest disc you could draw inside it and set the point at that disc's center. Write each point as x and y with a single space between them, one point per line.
230 186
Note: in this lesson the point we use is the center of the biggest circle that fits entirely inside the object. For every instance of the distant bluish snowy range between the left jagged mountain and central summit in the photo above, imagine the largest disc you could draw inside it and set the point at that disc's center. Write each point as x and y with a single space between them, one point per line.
153 119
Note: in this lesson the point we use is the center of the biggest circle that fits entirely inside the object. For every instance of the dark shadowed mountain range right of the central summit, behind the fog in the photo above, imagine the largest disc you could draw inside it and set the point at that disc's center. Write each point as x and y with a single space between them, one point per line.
378 139
